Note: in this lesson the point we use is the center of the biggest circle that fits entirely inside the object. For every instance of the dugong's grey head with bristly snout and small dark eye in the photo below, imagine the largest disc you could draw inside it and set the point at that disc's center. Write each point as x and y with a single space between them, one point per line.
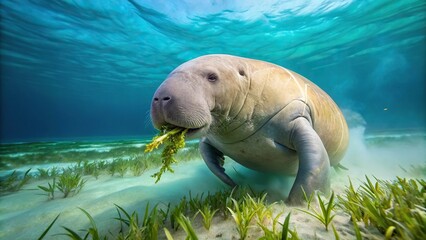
200 94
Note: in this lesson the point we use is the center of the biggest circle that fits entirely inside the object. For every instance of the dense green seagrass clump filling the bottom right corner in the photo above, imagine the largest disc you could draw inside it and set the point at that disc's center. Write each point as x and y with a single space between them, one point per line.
396 209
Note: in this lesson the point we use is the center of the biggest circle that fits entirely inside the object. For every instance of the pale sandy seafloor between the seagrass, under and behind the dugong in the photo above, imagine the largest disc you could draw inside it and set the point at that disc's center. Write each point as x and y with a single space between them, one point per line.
27 213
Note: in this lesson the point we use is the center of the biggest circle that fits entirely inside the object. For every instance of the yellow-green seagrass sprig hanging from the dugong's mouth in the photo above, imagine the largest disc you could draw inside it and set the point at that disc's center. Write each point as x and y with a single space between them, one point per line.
174 140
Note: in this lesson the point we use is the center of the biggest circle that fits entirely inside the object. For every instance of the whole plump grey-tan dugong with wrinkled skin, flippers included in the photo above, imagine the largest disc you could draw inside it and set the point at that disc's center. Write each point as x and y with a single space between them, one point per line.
261 115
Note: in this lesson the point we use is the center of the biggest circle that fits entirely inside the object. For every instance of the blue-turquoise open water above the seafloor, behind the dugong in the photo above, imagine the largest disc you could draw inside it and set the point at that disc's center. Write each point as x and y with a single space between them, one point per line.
88 69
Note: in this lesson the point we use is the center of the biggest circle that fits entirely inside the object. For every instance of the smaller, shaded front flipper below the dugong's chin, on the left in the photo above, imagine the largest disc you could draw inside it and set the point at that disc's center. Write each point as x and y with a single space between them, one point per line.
214 160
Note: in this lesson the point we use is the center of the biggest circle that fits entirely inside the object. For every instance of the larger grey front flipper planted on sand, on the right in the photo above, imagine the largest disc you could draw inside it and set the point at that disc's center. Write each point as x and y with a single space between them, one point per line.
314 165
